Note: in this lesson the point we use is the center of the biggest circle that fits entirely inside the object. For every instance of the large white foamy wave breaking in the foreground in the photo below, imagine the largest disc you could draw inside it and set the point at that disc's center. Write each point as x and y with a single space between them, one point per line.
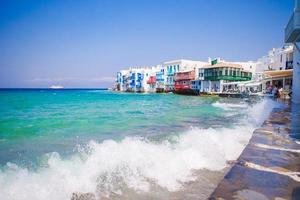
105 168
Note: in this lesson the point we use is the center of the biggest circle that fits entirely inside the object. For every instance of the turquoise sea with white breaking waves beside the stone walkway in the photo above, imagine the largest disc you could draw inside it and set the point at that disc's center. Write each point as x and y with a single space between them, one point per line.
119 145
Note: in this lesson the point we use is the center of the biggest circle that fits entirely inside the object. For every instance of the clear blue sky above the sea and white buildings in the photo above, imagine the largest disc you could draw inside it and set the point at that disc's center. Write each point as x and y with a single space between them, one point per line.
83 43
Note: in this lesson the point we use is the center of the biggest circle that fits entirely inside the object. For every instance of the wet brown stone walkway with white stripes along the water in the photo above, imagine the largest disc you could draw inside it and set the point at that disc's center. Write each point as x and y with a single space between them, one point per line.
269 166
